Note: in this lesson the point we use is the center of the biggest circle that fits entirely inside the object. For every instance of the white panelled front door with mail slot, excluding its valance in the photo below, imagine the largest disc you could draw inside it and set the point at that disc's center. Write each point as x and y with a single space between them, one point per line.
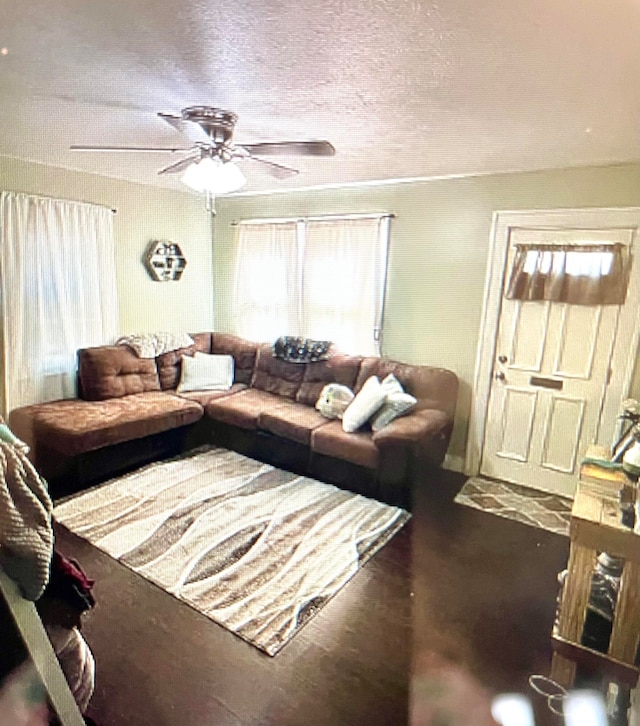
551 369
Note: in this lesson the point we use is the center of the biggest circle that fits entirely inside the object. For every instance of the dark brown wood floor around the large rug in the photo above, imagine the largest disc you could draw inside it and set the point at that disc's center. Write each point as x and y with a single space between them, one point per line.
457 607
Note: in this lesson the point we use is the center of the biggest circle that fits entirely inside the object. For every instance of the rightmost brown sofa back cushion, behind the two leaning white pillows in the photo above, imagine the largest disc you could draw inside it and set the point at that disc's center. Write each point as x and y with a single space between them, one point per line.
433 387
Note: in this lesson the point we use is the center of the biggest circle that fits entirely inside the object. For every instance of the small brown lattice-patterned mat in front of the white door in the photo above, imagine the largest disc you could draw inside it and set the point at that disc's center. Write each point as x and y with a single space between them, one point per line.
522 504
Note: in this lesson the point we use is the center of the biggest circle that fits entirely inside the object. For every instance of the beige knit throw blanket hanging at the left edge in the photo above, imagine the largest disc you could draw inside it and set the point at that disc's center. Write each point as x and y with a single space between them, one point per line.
26 534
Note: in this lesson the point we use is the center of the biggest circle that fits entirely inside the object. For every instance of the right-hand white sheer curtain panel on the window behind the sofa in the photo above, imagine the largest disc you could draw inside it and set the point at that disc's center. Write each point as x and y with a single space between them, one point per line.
343 282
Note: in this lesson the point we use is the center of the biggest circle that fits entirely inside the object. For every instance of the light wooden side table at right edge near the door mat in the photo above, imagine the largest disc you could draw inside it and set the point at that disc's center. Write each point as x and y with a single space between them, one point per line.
596 527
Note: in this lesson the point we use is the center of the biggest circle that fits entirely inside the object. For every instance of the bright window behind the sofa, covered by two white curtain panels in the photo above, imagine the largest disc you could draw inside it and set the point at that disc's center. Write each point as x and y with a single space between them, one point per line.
317 278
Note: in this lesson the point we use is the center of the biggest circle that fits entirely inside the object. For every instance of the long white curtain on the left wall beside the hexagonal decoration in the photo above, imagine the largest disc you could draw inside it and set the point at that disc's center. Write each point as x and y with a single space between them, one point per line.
57 293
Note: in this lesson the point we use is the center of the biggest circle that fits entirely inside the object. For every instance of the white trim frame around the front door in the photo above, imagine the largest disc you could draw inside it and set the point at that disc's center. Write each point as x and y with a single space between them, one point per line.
628 322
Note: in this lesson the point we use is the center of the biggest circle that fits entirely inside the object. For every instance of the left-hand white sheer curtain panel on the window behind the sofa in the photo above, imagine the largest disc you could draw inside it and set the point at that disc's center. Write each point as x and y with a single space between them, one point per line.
266 291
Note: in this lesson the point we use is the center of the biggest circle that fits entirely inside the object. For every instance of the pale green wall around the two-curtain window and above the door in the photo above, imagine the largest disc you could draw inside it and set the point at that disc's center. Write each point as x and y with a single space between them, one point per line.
438 251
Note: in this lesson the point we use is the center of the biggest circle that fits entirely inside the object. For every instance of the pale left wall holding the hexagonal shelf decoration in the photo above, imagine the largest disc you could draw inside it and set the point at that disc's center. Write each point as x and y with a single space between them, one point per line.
143 214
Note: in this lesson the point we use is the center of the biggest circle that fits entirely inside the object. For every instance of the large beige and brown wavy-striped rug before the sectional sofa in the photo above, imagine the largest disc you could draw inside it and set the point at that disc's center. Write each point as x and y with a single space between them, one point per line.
256 549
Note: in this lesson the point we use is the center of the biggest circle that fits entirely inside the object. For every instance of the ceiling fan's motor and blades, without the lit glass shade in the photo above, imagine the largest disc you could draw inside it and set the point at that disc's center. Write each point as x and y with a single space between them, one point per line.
211 131
